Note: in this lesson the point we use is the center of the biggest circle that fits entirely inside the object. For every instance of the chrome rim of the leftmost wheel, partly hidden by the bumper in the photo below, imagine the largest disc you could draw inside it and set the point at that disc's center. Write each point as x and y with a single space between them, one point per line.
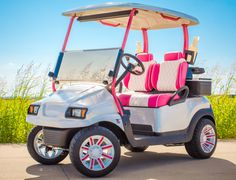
43 150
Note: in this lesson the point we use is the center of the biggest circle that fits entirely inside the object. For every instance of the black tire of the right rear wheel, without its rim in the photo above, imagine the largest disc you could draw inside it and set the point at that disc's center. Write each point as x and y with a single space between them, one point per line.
193 147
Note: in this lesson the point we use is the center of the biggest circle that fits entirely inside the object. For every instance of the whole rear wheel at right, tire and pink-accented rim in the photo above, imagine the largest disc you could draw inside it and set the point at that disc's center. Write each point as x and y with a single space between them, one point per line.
204 140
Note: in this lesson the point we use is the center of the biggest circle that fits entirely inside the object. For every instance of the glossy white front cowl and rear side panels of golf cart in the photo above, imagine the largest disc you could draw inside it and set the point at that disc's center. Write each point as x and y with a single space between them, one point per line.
101 108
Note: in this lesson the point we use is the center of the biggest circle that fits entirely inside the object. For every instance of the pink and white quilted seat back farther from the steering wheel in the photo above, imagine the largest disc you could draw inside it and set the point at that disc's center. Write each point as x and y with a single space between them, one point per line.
171 74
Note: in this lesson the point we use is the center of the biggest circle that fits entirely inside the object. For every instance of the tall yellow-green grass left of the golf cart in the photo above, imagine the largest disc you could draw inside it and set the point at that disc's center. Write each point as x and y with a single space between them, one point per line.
13 109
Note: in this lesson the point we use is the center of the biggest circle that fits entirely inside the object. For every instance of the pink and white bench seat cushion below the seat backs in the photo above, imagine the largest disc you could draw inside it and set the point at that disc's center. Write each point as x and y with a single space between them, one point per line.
140 99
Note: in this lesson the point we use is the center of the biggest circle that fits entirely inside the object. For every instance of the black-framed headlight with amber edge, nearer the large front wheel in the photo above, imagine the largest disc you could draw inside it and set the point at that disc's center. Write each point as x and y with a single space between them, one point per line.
74 112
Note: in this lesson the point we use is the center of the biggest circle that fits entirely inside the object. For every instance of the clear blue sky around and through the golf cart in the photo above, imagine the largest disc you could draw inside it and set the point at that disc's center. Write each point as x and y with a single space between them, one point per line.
34 30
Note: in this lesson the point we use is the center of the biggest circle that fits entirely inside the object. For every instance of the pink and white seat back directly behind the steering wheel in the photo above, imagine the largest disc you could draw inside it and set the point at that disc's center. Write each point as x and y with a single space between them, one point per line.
141 82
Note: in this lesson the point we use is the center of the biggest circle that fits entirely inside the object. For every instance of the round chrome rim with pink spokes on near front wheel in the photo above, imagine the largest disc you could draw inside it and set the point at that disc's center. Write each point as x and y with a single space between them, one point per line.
97 153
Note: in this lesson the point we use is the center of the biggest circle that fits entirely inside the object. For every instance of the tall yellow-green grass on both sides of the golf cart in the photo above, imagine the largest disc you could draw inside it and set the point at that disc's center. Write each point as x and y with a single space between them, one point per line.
30 87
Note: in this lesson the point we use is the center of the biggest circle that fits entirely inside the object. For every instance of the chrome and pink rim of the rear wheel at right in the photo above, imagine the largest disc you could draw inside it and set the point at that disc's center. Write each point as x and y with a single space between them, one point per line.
208 138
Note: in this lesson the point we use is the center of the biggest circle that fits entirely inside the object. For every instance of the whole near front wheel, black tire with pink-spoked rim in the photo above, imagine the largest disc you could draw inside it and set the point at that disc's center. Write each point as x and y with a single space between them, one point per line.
95 151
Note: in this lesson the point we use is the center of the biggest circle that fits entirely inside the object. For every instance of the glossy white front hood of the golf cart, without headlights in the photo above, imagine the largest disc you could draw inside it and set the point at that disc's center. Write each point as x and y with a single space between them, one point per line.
100 104
